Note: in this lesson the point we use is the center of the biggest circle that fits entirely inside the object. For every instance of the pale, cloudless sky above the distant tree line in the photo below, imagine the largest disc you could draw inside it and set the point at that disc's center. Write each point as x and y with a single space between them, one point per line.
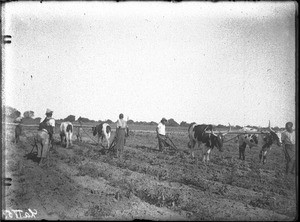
213 63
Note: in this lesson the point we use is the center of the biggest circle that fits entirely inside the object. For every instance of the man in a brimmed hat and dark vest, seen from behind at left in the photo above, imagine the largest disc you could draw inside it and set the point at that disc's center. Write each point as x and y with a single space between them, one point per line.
45 135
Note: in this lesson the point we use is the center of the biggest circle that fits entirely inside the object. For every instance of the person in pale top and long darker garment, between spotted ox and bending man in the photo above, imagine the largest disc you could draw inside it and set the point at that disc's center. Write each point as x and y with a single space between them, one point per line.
120 135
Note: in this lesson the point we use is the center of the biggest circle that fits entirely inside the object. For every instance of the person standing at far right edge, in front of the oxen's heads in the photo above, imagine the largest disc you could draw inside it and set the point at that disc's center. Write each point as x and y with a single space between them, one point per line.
288 141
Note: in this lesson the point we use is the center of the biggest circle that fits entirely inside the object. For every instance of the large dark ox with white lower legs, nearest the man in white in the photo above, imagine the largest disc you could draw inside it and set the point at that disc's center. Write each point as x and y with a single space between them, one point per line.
198 135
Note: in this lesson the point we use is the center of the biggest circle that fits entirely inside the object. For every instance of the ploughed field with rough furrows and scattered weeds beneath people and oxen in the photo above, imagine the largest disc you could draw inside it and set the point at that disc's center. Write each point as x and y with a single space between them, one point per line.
85 182
